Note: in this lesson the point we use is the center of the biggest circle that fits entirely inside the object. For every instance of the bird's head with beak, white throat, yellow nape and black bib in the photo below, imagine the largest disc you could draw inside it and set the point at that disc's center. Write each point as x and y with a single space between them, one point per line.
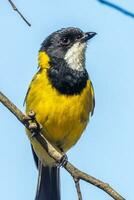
64 52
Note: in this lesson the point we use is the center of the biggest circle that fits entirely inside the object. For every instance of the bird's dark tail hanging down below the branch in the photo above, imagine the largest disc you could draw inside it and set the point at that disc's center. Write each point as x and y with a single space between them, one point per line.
48 187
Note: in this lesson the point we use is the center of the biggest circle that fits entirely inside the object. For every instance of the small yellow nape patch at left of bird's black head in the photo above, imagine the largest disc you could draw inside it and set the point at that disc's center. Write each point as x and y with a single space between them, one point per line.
43 60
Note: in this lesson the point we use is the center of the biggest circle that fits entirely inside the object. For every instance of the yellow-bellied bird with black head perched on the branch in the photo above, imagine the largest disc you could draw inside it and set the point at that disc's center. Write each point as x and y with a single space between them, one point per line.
62 96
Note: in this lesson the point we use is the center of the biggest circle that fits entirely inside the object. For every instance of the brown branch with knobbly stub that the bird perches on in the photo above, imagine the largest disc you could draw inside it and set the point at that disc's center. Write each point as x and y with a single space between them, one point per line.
37 137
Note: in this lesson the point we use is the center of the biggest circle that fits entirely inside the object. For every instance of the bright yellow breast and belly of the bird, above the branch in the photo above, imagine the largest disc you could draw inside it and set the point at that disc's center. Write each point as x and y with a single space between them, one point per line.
63 117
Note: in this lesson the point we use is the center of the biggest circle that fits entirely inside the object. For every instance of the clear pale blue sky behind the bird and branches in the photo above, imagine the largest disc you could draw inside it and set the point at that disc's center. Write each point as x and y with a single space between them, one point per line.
106 150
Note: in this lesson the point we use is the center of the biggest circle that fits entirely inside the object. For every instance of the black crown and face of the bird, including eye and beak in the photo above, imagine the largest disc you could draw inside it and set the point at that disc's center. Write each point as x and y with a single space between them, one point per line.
60 42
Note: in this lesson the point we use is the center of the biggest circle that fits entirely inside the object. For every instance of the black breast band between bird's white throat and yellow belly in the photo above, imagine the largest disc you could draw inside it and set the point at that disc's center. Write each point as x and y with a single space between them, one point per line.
66 80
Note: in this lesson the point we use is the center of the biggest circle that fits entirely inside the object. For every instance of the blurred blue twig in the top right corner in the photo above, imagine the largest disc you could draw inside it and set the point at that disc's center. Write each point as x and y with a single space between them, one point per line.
118 8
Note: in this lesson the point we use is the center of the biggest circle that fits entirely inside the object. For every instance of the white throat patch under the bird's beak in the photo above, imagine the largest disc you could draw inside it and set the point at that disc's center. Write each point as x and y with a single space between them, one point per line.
75 56
